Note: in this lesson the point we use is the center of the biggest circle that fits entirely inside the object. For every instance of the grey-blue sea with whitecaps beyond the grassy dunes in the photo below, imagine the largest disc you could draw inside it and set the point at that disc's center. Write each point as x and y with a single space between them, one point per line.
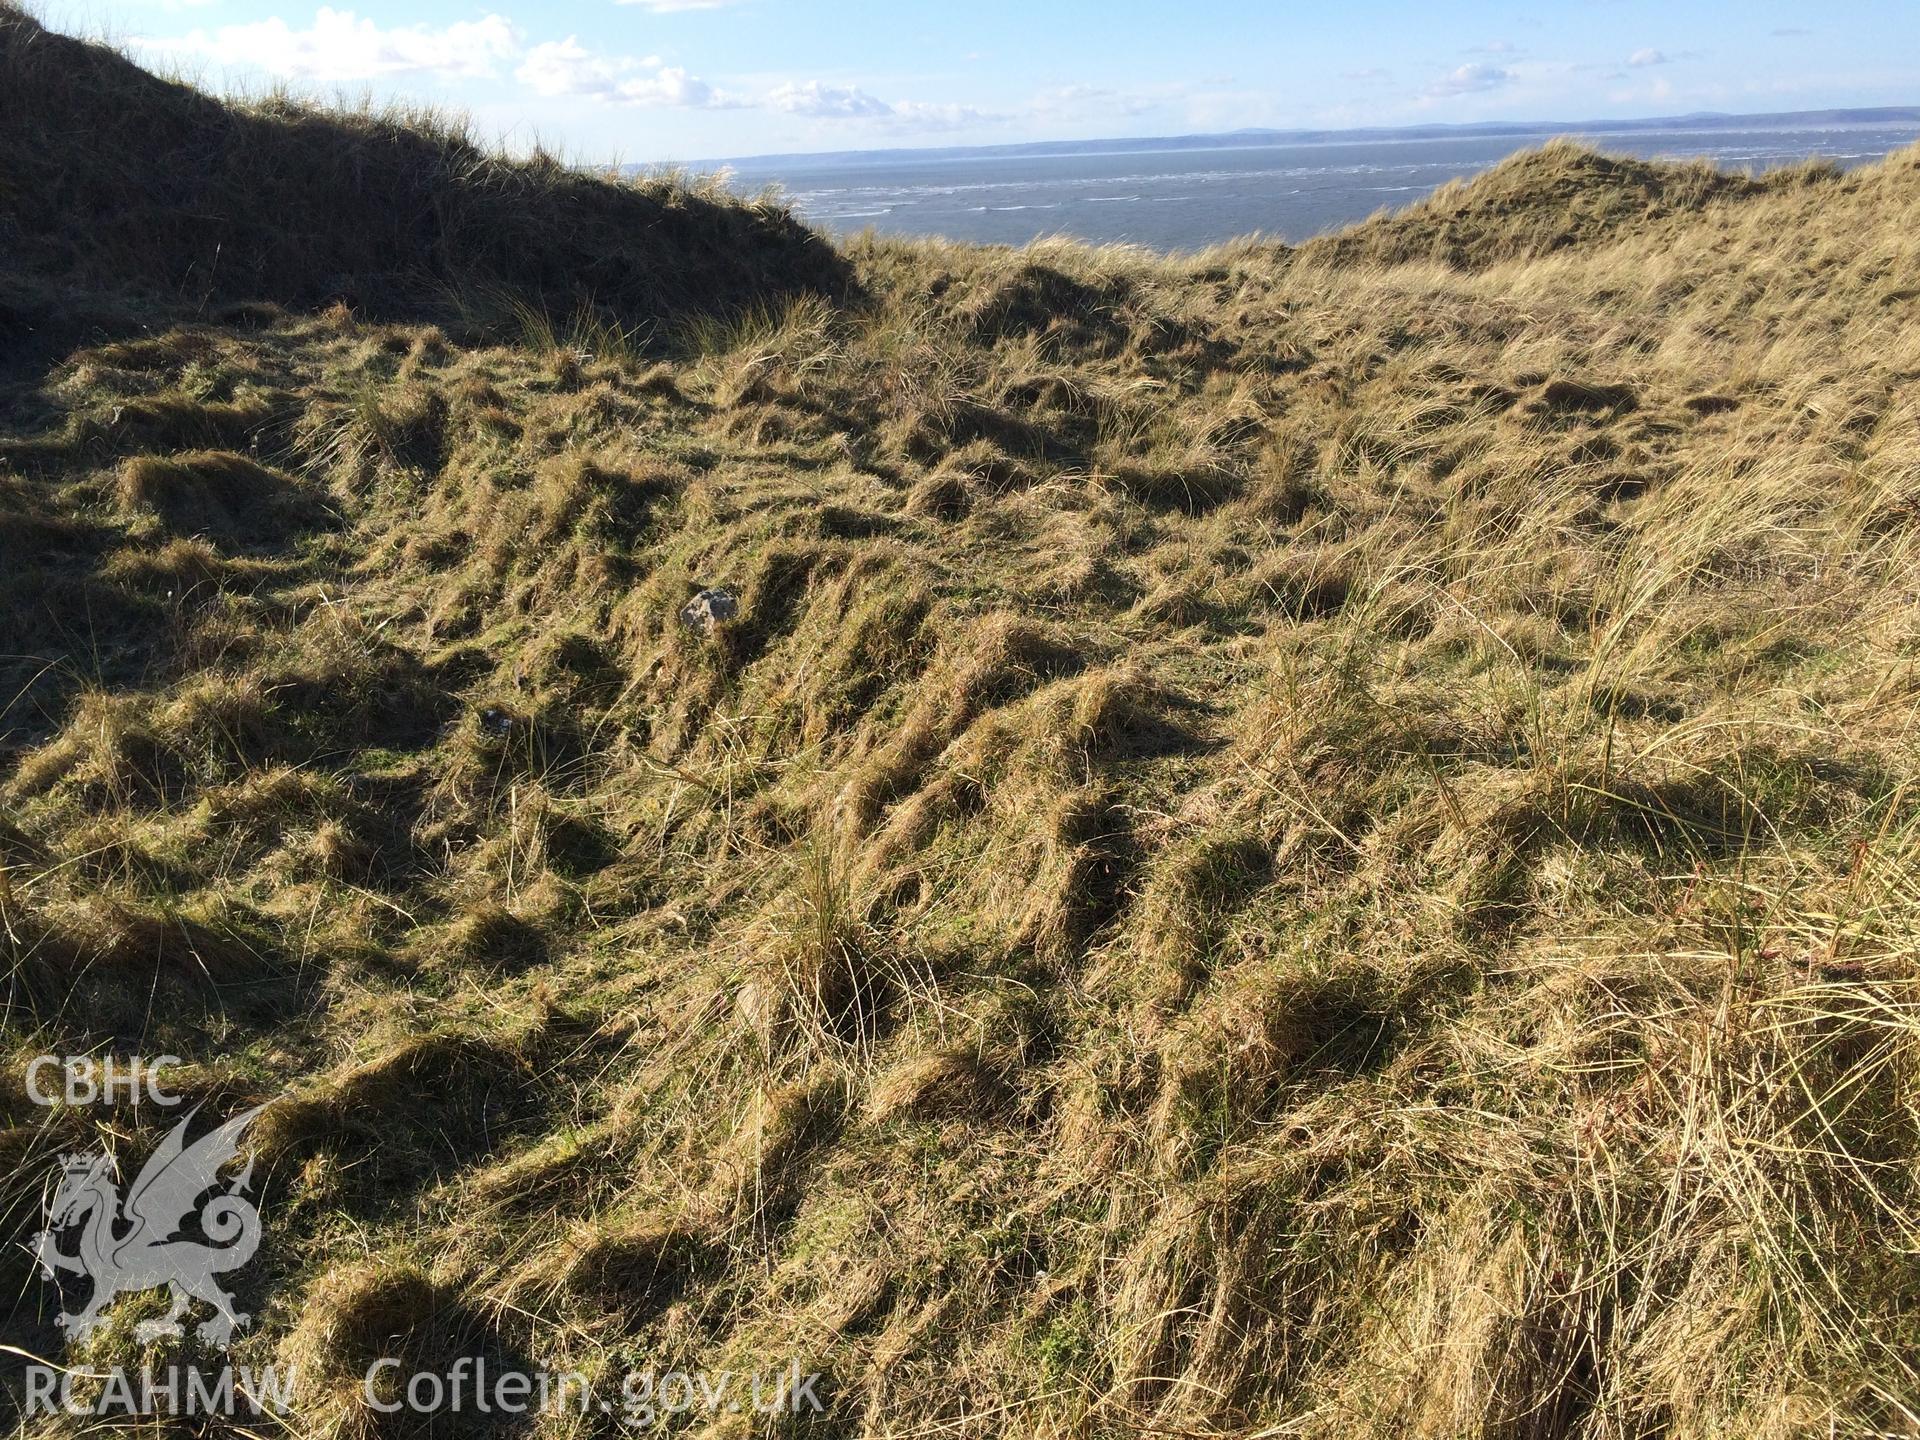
1180 201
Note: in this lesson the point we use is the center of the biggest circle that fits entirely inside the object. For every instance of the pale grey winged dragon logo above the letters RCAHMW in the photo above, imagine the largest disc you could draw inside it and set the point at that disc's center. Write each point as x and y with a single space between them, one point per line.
135 1245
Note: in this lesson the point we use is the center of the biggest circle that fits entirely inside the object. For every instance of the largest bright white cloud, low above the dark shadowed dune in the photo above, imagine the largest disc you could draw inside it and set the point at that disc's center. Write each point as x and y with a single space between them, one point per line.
343 47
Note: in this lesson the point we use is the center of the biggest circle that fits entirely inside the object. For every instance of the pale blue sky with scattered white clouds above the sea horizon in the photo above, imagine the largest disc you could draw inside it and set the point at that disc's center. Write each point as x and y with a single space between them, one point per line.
640 82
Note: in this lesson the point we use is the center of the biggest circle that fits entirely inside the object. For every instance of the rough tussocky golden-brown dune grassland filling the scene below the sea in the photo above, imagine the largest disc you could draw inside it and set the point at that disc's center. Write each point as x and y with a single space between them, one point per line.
1285 842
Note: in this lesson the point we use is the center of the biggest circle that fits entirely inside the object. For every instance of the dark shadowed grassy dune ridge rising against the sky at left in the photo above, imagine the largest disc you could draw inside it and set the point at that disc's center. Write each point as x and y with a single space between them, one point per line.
122 178
